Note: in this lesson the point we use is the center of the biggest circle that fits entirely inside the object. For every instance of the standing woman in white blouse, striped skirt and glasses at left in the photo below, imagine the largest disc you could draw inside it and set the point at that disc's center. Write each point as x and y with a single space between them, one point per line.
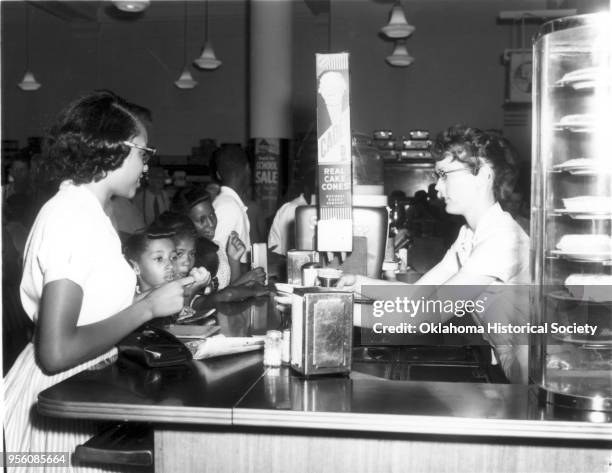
76 285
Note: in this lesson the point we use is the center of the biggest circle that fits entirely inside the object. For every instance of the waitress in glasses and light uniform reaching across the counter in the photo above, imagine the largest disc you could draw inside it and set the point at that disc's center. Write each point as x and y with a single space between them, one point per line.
476 170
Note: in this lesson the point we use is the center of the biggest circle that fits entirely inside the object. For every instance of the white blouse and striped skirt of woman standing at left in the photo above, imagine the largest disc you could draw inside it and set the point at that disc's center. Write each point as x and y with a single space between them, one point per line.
72 238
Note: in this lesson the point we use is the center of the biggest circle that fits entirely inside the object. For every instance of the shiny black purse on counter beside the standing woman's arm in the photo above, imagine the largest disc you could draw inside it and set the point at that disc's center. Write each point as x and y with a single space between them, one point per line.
153 347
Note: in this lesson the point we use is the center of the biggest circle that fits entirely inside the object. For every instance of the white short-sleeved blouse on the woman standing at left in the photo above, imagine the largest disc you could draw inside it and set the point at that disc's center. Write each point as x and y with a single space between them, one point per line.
72 238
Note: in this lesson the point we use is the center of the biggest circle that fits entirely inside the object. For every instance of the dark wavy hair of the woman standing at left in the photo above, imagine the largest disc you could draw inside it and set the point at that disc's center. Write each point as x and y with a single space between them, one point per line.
87 138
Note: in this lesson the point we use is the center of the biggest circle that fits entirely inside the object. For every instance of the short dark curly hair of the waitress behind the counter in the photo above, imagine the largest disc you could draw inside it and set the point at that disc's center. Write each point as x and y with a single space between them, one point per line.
470 145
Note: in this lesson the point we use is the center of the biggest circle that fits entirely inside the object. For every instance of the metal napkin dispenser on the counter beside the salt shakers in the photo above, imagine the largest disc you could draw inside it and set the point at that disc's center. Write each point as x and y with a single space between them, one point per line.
321 331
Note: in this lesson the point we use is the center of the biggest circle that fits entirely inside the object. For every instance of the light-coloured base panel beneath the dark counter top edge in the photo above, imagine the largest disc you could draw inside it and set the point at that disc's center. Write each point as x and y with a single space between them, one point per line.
264 451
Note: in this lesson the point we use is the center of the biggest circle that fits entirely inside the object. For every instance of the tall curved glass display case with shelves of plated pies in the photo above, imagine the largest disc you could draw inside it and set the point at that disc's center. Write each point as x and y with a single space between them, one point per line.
571 230
